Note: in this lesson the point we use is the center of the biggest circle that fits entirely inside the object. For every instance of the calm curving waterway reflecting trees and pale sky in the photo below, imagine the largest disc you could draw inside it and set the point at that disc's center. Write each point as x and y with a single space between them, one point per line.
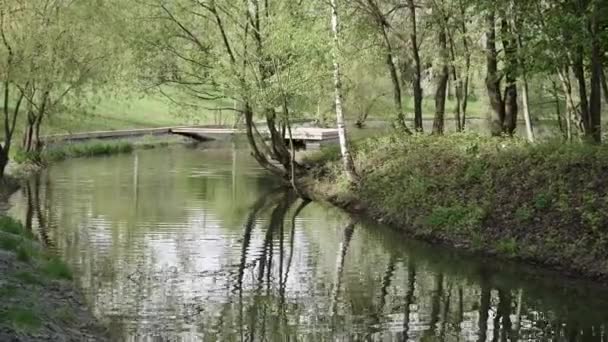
198 244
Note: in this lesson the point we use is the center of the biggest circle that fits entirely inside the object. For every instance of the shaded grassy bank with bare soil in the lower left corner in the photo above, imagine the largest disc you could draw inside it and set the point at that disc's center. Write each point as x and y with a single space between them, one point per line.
37 298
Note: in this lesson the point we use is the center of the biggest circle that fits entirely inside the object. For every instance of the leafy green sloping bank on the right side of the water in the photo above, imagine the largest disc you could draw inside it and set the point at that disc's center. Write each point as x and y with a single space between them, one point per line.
544 203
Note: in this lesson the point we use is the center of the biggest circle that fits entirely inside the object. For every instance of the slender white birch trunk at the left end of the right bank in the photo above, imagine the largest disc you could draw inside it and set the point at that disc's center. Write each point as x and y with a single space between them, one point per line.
347 160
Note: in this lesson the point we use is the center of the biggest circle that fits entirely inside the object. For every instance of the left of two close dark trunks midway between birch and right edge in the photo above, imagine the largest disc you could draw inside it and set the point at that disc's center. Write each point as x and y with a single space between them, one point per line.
497 113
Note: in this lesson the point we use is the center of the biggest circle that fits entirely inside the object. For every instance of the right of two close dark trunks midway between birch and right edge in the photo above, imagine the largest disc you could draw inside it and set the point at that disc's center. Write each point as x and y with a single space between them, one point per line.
510 100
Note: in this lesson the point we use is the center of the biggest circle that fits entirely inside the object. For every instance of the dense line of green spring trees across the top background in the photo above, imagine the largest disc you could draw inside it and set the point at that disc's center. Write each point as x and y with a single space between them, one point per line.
282 60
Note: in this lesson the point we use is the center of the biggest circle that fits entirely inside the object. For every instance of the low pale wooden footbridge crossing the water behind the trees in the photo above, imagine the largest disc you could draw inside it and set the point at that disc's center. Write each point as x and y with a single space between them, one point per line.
310 137
